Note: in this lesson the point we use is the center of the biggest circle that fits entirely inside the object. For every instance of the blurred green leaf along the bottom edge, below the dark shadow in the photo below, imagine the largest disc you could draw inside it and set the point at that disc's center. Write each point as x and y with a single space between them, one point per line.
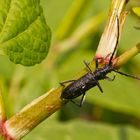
81 130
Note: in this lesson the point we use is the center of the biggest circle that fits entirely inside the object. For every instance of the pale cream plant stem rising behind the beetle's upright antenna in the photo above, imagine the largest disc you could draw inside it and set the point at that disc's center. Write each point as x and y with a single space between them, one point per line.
108 39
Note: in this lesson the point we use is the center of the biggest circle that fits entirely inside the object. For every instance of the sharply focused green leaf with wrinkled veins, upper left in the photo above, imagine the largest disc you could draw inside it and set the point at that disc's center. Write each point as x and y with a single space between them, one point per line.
24 34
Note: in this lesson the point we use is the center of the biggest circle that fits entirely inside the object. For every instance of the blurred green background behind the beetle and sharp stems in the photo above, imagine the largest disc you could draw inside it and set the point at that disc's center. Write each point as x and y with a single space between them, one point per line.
113 115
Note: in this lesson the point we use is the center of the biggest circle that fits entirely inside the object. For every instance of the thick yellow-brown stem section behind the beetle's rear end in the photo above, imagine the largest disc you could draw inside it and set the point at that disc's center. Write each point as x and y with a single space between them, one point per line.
34 113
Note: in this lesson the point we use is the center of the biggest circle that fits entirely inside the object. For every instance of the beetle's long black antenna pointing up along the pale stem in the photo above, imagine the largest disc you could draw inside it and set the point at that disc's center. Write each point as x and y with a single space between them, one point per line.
118 34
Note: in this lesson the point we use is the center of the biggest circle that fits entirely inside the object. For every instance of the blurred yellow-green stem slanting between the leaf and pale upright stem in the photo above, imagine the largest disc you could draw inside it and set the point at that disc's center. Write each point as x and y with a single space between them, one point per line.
85 30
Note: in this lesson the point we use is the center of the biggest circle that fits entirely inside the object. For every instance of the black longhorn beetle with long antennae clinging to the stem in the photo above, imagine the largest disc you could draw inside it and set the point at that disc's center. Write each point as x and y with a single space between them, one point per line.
91 79
